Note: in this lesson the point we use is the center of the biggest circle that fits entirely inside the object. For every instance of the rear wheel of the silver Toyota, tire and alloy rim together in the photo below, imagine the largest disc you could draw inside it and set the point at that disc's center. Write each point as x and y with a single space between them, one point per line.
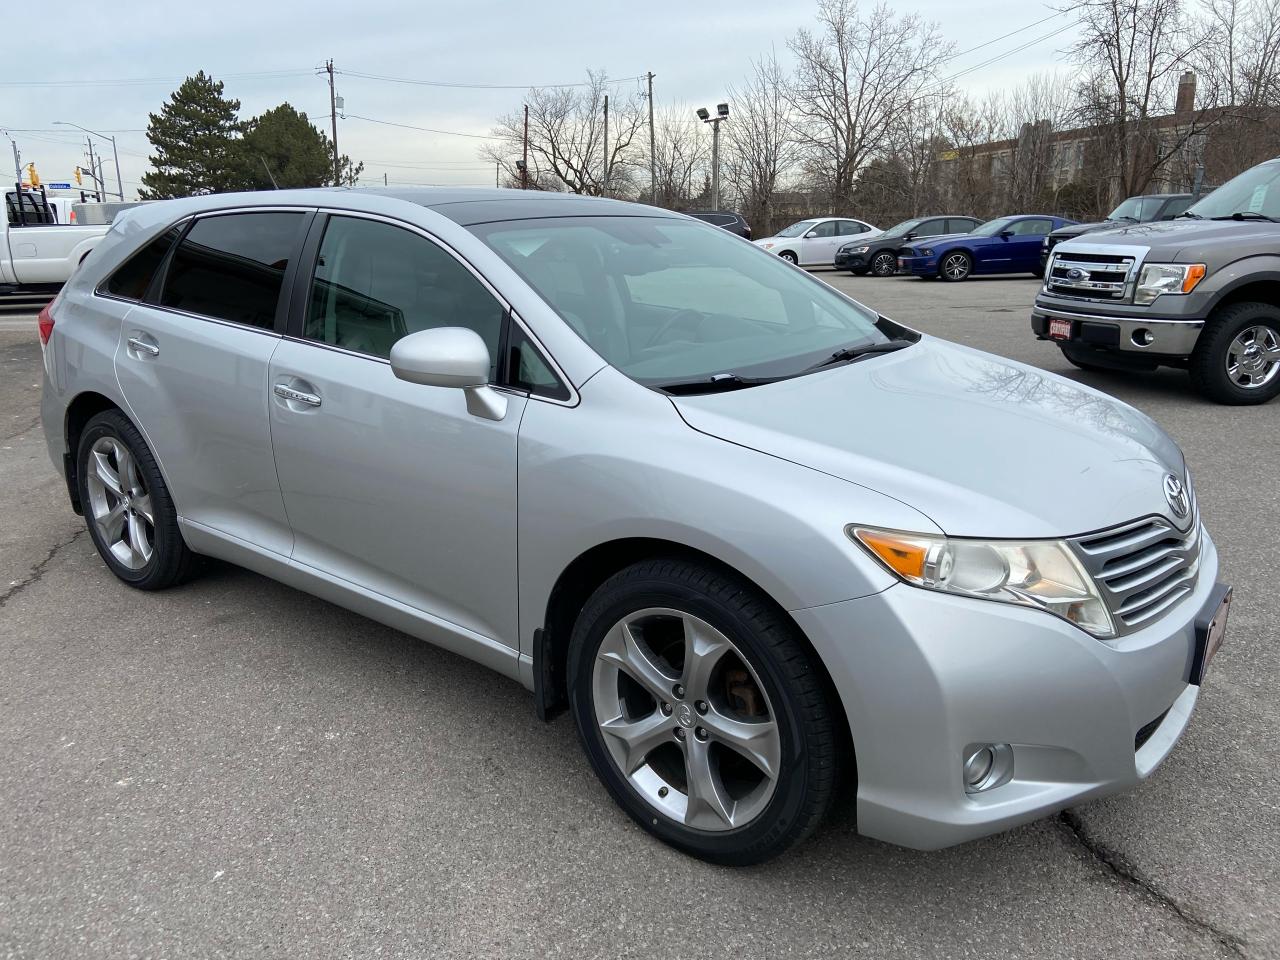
111 446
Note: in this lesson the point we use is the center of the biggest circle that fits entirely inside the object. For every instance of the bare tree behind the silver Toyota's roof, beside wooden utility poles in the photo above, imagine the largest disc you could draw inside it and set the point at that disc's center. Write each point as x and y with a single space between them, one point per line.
566 139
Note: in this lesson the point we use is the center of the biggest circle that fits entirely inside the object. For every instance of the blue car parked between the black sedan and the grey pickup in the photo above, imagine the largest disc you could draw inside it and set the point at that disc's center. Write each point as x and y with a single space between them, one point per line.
1008 245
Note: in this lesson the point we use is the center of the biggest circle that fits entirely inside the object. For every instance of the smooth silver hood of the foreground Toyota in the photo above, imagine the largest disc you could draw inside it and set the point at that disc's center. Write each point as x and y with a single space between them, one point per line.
982 446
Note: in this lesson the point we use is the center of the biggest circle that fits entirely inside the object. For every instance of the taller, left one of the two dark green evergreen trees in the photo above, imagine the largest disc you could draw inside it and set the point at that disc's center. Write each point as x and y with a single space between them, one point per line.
196 143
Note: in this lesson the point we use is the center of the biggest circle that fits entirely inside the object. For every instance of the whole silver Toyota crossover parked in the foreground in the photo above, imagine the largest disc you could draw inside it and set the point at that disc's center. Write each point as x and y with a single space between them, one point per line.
607 452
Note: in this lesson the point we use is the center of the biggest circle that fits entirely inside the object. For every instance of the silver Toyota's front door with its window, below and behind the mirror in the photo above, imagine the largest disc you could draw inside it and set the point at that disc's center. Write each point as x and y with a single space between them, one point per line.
392 486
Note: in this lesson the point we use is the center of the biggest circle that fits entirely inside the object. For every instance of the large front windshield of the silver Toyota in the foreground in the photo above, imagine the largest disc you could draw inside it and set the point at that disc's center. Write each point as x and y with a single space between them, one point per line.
669 301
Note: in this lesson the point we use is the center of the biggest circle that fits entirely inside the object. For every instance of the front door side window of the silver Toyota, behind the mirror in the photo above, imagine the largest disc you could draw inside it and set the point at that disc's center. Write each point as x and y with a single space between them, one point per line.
376 284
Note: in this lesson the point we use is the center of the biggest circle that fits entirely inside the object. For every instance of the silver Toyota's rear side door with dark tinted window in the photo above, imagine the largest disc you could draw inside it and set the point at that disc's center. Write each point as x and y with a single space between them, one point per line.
193 364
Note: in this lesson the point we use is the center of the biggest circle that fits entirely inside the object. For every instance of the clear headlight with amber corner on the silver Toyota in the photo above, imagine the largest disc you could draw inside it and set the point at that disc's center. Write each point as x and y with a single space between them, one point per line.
1043 574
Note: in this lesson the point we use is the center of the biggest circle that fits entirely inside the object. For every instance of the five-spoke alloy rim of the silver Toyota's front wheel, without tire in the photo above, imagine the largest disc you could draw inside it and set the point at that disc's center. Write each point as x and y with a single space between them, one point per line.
687 720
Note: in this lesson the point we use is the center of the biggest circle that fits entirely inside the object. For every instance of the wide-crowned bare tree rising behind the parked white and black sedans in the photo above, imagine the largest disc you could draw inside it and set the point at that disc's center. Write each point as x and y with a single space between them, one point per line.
854 77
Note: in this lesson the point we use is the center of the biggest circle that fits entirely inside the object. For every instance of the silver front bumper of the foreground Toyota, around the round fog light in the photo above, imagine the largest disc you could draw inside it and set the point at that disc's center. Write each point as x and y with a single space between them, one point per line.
925 675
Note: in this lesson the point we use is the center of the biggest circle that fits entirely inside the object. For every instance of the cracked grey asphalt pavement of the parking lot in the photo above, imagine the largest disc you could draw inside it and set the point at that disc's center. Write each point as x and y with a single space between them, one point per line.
235 769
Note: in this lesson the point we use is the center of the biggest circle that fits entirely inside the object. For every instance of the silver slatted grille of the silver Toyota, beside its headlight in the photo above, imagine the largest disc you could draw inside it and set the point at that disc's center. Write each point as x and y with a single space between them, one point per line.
1142 569
